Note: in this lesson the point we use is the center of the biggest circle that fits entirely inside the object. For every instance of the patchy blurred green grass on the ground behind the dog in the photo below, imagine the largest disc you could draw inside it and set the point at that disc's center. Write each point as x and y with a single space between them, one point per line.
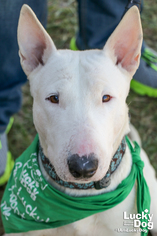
62 25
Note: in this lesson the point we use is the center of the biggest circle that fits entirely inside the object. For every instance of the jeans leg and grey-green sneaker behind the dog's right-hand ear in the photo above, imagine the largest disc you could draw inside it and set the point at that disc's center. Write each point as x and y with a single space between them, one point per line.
97 20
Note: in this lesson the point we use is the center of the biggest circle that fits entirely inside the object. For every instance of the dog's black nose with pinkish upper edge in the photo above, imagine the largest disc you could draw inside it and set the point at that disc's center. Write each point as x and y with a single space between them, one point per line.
82 167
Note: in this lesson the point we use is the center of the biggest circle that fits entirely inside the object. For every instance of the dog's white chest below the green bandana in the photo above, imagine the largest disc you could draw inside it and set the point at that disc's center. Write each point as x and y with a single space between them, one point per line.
105 223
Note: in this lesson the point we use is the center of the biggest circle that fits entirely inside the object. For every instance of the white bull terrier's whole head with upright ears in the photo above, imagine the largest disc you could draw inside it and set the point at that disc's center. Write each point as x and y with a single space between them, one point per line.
79 107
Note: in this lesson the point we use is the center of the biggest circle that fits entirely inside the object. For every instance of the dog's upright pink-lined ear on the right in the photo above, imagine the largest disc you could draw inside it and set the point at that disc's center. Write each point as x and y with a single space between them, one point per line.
124 45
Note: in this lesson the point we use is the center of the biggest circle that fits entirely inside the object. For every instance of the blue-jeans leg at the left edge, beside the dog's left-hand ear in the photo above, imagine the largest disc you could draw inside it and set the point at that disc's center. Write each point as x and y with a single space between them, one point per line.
11 74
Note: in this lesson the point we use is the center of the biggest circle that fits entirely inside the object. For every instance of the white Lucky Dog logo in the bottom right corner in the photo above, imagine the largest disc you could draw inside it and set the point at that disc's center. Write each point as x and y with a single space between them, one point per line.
137 222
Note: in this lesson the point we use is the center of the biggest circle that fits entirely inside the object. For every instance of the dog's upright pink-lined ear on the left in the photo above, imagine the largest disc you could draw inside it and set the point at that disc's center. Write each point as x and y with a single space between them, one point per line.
35 45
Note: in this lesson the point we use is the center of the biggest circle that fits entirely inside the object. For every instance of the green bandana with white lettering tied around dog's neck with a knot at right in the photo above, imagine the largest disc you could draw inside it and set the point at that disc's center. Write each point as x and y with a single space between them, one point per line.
29 199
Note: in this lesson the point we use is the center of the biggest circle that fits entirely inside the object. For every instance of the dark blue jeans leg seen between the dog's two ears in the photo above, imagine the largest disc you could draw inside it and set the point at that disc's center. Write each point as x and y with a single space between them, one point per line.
97 20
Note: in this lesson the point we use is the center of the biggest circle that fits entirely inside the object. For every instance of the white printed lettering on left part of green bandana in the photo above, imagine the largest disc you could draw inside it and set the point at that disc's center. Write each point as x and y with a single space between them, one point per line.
29 183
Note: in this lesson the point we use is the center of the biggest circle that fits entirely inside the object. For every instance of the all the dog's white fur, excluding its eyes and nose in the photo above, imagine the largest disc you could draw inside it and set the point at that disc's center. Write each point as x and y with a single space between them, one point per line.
81 123
